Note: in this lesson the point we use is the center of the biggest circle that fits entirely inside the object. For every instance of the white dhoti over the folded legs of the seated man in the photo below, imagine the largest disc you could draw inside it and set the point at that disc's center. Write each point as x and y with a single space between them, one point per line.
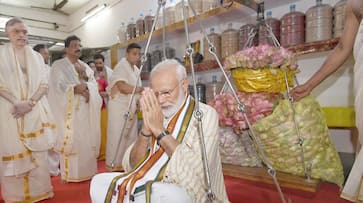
161 192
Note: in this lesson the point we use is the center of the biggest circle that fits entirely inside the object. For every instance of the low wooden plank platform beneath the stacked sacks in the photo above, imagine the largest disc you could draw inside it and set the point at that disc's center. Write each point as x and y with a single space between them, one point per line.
260 175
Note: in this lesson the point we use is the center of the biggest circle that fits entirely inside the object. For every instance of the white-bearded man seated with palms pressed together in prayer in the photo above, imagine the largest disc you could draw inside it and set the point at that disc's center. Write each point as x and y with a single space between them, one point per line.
165 163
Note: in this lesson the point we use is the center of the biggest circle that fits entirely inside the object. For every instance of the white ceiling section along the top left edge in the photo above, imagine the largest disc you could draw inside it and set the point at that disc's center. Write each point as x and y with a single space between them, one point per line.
66 7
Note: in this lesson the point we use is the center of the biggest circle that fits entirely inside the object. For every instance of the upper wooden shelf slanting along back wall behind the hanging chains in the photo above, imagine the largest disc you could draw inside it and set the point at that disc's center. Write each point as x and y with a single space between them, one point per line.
179 26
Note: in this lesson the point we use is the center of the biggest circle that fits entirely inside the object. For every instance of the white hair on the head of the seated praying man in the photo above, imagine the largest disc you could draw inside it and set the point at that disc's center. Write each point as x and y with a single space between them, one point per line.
181 73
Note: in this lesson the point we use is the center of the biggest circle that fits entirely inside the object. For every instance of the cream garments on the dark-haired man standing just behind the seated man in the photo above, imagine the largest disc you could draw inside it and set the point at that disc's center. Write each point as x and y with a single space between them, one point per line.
117 107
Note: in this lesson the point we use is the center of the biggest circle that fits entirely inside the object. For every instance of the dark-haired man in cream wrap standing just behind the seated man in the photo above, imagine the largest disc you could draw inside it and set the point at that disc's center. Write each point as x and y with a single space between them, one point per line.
120 87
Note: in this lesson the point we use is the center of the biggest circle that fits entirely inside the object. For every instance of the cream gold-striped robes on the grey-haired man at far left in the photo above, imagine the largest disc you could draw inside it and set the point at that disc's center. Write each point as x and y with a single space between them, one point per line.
24 141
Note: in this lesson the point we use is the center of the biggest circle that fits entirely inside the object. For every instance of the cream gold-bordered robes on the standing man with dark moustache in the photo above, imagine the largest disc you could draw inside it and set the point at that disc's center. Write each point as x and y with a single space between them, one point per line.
78 122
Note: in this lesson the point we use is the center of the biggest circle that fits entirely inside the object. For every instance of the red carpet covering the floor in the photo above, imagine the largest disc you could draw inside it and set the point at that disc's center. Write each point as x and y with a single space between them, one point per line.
238 191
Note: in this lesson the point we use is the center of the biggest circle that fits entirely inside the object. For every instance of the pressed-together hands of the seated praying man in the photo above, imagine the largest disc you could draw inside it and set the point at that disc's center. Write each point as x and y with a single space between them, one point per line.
151 112
